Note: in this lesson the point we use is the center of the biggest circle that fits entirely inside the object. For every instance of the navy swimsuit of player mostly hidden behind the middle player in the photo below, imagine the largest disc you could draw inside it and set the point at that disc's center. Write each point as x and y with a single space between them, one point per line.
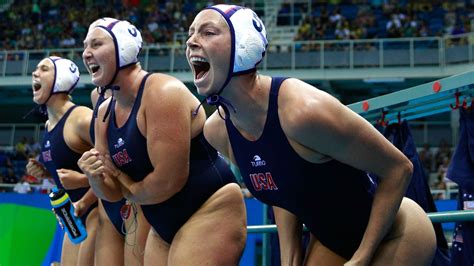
111 208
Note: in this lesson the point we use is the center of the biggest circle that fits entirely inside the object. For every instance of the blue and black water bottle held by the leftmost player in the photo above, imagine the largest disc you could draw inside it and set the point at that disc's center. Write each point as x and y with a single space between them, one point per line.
64 210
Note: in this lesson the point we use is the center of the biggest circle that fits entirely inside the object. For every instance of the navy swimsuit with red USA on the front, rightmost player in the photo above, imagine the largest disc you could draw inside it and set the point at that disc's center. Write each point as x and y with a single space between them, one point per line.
332 199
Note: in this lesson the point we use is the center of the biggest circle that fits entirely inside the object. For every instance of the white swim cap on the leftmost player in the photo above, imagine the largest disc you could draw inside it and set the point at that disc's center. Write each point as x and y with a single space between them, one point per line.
66 75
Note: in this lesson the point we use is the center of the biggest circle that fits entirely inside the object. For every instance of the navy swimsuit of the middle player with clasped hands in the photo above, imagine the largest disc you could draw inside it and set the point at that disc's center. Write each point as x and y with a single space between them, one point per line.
208 172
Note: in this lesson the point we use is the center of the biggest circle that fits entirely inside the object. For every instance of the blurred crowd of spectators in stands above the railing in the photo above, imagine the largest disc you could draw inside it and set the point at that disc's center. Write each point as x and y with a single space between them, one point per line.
36 24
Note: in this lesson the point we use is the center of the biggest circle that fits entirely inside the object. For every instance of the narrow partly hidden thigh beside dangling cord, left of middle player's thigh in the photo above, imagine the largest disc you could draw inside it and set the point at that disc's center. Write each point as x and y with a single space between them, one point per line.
137 229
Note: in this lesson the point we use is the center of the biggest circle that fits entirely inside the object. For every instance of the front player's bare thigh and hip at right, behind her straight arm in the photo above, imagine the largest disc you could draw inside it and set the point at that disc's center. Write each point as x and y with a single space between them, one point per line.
411 241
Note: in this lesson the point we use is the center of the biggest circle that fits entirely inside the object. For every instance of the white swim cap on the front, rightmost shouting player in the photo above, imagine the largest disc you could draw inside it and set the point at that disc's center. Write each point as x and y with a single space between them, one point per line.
248 37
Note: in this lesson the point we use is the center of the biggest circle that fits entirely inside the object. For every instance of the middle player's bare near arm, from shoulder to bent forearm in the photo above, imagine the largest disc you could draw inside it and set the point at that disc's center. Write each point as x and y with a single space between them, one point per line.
166 123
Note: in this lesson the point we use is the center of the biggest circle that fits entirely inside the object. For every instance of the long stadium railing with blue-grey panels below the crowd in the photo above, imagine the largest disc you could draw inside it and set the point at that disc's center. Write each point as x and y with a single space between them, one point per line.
288 55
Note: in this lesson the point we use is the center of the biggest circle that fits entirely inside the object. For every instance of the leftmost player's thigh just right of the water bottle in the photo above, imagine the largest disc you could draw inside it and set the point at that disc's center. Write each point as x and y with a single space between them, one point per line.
87 247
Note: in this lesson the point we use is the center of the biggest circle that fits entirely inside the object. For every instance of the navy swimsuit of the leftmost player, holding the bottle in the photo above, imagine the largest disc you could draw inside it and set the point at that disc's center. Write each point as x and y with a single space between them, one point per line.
55 154
